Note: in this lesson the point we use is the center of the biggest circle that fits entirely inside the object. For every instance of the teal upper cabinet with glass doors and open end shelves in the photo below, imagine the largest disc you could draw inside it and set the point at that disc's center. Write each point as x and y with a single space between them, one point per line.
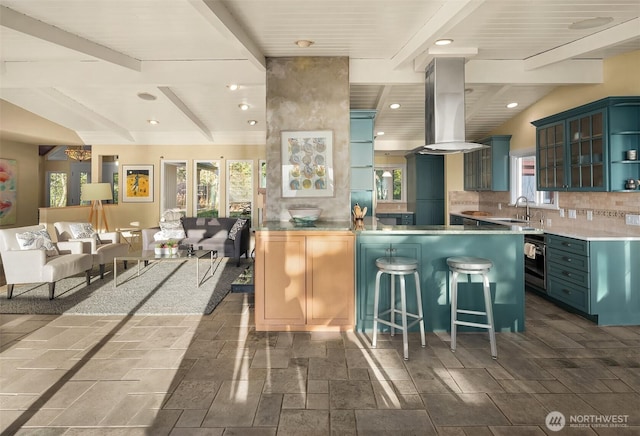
585 149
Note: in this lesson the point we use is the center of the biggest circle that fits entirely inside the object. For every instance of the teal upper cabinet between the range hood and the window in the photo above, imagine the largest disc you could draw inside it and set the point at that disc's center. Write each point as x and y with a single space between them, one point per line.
488 169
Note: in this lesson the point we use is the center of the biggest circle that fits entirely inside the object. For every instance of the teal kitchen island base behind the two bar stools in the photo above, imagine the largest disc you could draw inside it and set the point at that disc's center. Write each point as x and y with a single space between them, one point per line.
431 251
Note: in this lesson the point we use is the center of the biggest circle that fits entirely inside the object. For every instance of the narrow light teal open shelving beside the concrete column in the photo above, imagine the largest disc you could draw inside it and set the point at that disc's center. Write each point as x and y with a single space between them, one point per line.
362 163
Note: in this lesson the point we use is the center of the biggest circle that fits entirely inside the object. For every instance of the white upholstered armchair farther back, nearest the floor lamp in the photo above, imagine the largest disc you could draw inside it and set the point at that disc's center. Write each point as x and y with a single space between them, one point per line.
103 246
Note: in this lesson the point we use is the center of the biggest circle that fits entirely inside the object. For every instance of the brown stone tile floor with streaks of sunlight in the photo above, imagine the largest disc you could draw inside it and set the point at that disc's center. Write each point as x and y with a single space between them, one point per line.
215 375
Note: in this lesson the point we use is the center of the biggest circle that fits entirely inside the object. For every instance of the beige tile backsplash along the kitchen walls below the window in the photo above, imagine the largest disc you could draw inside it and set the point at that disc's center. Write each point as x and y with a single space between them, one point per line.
608 208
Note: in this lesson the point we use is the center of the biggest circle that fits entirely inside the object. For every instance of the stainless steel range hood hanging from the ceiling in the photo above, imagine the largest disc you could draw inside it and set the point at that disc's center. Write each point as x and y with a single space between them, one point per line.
444 109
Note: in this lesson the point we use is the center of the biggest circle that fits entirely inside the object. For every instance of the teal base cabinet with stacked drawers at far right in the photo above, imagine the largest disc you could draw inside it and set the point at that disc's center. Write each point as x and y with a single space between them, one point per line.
600 279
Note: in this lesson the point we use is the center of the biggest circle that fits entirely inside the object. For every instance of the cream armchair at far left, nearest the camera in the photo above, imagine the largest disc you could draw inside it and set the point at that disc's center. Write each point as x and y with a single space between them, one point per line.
29 256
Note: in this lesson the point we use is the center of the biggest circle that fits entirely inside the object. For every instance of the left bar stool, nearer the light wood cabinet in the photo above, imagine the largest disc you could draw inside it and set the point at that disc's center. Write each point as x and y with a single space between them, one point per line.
400 267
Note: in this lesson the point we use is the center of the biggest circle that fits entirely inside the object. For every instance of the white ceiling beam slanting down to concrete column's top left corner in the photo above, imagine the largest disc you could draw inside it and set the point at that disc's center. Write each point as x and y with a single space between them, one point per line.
219 17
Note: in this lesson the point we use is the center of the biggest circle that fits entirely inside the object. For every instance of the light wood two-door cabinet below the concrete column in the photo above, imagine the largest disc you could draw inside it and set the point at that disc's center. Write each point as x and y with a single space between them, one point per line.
304 280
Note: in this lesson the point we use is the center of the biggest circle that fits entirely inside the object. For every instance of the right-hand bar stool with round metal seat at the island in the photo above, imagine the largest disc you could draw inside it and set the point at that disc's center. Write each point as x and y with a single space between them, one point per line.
471 266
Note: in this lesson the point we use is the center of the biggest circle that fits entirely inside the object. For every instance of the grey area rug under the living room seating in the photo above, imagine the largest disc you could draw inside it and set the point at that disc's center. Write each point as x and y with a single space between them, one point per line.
163 288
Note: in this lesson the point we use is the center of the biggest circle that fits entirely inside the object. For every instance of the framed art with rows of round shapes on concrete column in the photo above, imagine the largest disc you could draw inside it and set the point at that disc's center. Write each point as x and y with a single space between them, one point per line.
307 164
